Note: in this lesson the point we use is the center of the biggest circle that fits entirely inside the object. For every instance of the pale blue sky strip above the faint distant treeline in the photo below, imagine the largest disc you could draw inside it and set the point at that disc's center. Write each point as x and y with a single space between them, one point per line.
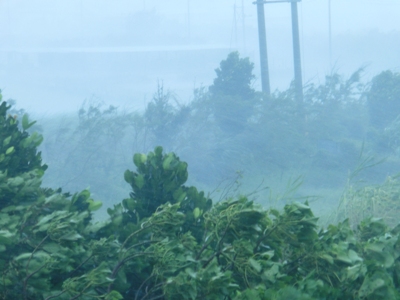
21 19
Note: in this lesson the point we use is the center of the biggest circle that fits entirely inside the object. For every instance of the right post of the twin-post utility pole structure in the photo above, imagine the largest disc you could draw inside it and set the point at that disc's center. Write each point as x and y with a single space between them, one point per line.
298 81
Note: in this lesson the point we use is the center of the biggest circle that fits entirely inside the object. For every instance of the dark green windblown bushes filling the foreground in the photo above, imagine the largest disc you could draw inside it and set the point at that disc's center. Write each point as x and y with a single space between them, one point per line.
168 241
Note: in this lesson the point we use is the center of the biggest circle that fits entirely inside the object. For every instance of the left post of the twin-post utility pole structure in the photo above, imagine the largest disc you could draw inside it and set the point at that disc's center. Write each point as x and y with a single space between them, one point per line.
263 48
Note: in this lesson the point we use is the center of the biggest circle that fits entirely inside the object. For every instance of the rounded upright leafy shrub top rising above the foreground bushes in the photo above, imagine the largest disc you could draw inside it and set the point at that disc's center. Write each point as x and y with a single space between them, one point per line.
159 180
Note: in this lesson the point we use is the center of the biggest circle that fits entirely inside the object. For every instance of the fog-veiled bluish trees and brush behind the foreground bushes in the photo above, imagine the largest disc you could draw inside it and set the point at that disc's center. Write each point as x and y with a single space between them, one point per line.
228 127
